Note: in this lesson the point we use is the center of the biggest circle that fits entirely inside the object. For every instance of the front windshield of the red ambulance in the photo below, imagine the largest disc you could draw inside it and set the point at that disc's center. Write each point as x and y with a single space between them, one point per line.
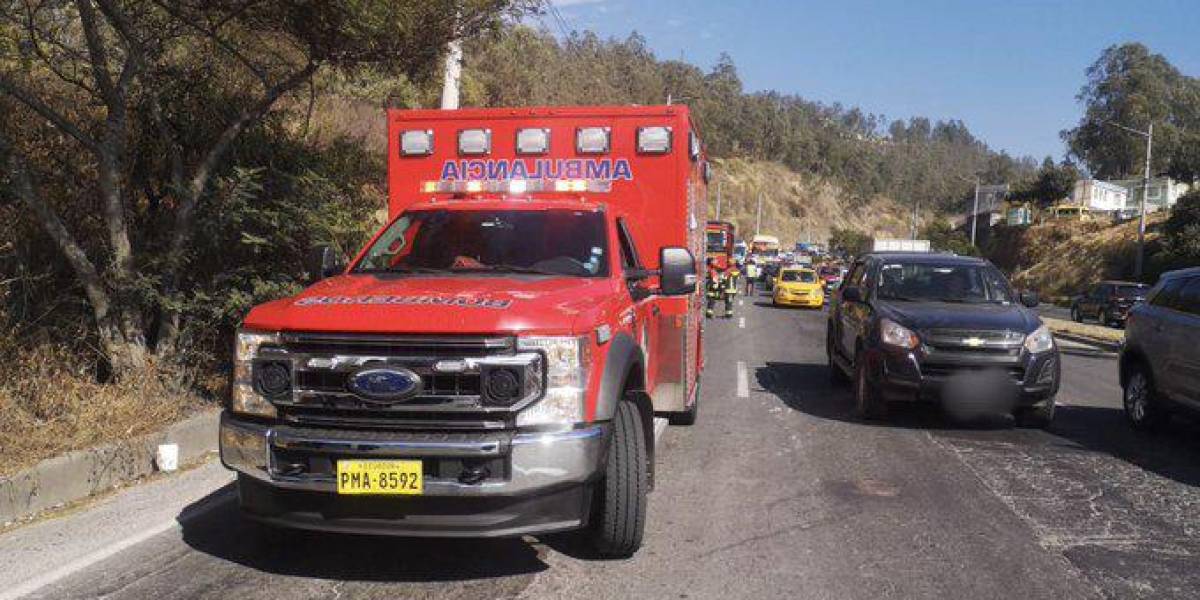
561 243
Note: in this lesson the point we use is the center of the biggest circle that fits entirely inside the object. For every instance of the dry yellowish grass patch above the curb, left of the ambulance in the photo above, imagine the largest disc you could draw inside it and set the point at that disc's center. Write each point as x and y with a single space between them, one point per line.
49 409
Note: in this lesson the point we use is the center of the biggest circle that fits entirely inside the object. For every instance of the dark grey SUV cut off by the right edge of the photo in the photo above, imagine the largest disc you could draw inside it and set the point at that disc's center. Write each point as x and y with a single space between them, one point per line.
1160 362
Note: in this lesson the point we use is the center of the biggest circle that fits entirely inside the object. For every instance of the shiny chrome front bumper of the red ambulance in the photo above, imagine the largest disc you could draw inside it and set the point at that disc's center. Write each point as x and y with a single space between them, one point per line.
538 463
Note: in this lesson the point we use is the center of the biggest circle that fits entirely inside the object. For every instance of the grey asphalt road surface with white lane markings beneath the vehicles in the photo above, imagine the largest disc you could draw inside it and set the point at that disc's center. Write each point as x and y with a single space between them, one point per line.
779 494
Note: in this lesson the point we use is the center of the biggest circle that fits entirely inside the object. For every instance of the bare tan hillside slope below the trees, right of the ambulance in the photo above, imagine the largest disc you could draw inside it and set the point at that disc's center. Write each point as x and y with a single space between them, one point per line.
797 207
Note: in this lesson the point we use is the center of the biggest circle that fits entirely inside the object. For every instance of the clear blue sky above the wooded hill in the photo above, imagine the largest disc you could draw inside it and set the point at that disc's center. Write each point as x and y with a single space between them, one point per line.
1010 70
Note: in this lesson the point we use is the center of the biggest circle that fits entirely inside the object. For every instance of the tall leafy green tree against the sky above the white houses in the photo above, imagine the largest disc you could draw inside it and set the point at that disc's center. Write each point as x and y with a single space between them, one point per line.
1132 87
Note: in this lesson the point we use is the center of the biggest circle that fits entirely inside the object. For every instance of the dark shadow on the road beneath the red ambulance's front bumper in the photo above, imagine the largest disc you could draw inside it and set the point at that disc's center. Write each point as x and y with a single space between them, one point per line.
221 532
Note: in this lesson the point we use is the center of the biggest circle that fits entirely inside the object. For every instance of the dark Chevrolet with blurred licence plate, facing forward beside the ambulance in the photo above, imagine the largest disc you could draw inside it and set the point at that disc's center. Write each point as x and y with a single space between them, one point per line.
943 328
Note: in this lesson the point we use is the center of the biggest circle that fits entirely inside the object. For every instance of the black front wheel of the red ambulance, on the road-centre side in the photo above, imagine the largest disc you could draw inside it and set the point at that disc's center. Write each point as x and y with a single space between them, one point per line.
620 518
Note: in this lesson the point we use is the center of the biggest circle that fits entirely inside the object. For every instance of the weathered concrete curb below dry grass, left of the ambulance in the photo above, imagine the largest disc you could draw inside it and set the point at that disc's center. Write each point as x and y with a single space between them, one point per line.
76 476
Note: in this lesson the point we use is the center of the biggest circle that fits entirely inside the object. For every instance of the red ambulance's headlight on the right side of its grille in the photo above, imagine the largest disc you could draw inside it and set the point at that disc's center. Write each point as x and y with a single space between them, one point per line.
567 376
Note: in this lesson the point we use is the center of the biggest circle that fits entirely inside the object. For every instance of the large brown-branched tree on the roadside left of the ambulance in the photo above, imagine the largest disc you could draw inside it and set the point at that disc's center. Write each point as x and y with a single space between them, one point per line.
149 98
